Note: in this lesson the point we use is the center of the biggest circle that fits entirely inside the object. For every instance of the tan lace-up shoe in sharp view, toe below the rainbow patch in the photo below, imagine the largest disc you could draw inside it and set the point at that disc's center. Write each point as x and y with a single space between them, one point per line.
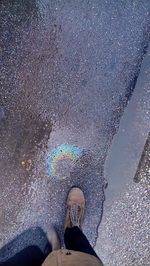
75 208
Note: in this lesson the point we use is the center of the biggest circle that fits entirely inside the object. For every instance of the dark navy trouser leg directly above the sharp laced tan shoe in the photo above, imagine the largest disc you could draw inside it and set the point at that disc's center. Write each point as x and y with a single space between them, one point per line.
76 240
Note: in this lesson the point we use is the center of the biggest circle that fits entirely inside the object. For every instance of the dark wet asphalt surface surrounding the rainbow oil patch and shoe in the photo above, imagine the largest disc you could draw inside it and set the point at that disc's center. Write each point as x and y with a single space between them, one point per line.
68 70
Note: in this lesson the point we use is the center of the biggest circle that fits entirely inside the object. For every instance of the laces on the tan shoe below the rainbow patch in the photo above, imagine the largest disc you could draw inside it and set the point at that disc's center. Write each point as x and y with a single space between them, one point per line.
75 215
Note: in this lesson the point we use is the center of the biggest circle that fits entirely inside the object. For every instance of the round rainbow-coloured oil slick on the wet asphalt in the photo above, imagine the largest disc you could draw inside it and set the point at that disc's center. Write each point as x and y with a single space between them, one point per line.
62 159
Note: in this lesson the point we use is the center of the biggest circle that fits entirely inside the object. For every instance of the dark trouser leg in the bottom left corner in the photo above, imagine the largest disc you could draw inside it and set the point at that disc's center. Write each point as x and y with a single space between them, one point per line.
30 256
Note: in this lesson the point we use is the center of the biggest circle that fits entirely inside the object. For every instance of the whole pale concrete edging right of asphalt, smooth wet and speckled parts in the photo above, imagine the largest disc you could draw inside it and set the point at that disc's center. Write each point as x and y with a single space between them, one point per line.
123 230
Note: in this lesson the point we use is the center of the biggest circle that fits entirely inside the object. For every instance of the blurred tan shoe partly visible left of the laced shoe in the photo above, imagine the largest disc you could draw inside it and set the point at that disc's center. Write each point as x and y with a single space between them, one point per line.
53 239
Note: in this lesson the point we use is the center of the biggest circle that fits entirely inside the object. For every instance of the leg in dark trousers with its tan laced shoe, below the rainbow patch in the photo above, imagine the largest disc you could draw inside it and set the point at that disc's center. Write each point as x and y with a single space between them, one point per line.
74 237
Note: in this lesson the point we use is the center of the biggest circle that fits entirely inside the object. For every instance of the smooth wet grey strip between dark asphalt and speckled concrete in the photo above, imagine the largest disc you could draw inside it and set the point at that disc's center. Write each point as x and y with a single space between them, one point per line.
128 144
